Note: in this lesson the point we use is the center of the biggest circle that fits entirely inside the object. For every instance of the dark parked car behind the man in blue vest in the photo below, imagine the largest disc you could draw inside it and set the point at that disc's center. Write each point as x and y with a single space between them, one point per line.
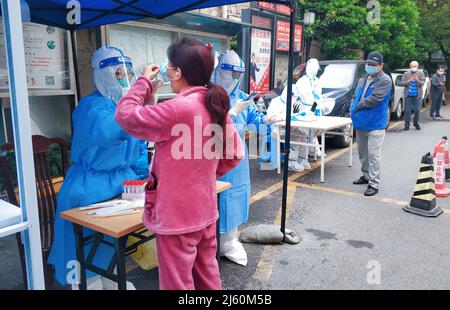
339 79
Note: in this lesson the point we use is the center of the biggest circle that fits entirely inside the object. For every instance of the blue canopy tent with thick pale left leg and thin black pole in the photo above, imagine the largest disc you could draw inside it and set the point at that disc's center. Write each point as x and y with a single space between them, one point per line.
88 13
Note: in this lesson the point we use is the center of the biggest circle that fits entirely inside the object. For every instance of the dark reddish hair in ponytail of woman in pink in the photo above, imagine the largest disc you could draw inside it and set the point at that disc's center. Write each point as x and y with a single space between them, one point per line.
196 61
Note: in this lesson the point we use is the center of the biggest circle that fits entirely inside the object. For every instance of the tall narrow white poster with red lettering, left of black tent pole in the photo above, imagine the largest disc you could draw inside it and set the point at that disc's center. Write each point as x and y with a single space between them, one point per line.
260 61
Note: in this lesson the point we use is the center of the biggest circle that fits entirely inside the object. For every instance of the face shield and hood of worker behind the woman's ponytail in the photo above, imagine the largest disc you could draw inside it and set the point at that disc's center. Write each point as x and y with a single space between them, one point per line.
229 71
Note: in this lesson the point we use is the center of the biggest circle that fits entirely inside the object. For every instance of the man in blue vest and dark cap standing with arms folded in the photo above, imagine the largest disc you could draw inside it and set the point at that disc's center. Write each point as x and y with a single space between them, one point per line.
369 112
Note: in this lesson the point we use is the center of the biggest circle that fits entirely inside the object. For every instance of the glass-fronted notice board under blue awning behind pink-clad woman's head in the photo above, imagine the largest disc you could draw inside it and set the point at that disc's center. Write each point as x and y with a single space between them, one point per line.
147 40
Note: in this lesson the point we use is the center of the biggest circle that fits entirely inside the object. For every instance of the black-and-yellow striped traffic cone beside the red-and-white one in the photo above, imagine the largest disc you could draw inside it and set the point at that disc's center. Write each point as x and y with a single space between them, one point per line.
423 201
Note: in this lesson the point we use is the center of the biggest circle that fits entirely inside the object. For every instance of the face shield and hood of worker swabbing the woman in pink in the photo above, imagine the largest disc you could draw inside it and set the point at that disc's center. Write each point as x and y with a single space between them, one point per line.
114 74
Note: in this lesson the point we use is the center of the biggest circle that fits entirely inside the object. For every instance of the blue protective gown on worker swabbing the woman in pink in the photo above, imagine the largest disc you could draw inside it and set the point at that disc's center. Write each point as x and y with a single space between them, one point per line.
103 156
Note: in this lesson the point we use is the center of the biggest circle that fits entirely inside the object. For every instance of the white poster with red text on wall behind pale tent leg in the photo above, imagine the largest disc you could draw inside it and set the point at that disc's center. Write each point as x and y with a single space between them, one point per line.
45 58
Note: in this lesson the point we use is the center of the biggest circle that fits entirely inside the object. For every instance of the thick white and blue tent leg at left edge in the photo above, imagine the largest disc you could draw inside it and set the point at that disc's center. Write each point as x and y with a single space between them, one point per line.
20 114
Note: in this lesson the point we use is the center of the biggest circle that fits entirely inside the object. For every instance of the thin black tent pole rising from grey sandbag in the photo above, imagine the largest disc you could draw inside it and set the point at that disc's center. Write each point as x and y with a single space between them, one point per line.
287 143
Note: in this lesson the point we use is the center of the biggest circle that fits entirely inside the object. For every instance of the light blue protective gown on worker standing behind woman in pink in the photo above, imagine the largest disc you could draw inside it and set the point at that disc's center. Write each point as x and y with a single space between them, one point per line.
235 202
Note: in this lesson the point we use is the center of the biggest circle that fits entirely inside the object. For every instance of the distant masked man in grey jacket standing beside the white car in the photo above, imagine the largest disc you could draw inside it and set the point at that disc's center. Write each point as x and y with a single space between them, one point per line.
413 81
